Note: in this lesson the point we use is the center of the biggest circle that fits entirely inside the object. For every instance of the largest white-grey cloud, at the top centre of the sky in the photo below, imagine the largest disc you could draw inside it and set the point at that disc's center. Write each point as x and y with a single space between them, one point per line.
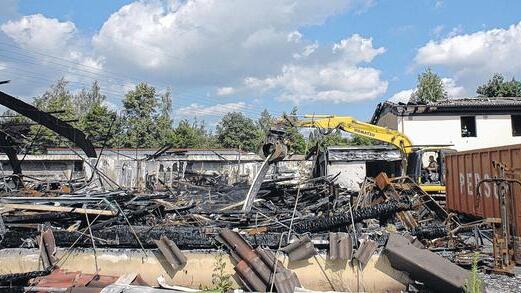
211 42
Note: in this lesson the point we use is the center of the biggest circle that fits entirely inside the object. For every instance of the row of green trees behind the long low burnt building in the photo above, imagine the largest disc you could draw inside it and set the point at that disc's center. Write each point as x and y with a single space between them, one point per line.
145 121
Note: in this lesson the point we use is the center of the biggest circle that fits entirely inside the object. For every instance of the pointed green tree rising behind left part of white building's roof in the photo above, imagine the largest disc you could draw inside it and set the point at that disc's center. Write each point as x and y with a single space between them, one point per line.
430 88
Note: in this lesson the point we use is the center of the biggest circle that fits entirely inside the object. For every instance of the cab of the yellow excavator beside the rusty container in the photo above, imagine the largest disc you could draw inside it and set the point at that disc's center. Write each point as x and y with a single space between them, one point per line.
426 166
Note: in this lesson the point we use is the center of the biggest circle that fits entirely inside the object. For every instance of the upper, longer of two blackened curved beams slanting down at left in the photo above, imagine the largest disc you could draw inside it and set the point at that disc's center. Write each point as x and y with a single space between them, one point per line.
57 125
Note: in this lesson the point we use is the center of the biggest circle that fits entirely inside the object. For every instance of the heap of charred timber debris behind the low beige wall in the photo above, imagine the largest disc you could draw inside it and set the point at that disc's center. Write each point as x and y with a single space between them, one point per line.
189 213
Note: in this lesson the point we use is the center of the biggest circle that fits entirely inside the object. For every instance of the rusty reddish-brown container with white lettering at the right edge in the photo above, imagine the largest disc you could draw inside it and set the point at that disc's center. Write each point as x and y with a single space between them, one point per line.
465 169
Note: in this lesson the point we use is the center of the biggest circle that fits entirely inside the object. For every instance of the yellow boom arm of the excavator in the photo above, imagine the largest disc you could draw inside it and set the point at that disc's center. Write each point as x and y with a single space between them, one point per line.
348 124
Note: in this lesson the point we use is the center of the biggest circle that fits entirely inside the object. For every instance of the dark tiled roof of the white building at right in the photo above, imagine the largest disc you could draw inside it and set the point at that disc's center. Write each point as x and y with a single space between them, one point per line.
470 106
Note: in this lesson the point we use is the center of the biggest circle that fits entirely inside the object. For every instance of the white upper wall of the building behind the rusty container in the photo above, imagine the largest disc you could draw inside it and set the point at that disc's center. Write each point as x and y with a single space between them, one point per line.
492 130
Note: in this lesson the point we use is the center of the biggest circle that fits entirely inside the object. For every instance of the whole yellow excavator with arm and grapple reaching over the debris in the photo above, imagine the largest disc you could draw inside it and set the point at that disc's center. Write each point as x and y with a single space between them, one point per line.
412 156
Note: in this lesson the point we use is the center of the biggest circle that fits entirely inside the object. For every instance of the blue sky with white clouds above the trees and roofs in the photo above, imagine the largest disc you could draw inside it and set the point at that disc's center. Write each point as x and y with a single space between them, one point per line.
340 57
